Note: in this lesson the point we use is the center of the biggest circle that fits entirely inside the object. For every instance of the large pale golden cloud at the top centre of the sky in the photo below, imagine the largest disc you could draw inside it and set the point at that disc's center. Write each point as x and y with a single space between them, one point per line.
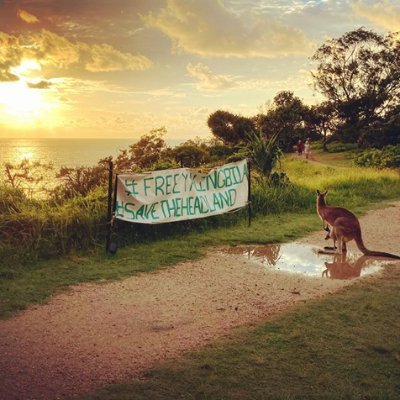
208 28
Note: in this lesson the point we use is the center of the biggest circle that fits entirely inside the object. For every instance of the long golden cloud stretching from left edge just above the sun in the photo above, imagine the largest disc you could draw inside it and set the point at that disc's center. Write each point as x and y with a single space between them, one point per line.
50 49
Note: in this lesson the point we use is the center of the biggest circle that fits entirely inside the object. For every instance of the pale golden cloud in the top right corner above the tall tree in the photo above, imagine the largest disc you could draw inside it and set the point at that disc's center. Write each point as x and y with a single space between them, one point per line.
382 13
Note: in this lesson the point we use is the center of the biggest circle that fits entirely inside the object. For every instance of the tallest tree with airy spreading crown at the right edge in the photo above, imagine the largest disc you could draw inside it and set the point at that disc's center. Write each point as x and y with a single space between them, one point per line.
360 74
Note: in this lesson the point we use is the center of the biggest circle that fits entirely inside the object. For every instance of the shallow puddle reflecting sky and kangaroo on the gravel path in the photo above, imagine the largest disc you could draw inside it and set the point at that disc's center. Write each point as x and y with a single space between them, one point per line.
306 259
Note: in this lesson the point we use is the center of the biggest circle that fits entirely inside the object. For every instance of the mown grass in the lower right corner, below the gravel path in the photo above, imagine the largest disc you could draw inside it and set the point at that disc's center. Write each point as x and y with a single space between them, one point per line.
345 346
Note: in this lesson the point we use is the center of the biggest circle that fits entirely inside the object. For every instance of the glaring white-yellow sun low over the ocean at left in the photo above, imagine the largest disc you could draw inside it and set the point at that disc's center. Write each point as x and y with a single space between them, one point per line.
23 106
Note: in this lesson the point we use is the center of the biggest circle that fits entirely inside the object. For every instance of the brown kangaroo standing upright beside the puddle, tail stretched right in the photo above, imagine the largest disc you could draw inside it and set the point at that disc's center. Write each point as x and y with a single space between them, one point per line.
344 227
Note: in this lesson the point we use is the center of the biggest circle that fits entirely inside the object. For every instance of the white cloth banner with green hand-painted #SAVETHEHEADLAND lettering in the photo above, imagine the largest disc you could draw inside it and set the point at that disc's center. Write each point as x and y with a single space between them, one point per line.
180 194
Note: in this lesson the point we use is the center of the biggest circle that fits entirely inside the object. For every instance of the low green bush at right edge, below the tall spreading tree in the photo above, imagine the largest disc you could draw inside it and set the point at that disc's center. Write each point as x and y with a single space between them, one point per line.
388 157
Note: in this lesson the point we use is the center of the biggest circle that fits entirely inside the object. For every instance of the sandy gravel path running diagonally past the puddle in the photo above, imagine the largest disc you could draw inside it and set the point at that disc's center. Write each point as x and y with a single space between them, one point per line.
95 334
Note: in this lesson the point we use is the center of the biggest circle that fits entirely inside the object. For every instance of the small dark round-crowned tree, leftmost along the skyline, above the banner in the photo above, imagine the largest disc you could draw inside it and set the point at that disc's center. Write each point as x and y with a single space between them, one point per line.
230 128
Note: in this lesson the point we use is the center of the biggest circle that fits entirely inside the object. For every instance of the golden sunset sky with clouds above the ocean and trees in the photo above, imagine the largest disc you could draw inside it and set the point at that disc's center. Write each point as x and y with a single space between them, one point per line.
119 68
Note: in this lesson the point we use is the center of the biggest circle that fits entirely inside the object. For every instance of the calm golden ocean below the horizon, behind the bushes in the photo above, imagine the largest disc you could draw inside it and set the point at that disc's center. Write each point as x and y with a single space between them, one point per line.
63 152
